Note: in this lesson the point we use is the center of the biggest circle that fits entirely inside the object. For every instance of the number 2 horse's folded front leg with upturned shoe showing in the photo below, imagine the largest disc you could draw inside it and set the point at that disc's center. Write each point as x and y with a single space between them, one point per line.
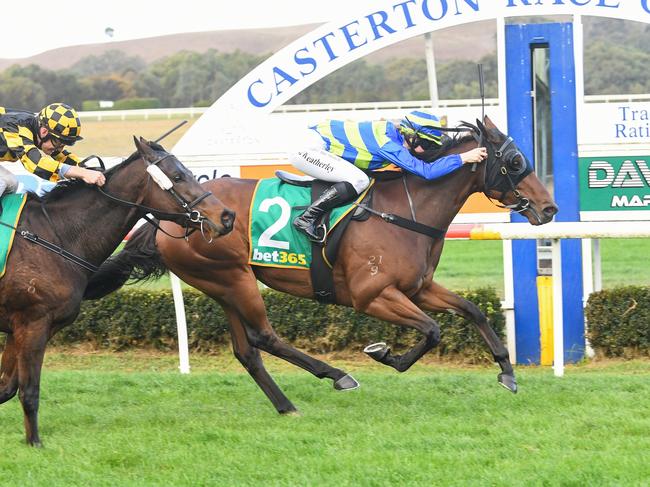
395 307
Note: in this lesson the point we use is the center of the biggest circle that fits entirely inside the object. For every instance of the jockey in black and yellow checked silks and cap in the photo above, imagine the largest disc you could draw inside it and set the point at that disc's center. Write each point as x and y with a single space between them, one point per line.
38 141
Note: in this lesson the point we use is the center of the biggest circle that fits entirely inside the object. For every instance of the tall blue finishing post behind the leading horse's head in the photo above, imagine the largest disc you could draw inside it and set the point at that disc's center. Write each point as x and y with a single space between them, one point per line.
520 39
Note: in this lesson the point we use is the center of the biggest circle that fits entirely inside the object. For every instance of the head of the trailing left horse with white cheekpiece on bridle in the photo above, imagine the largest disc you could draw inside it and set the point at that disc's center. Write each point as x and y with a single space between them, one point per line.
177 195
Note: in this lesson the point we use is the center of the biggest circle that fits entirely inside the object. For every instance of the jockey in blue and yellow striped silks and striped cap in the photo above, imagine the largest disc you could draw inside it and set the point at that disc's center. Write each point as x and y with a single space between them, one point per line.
340 151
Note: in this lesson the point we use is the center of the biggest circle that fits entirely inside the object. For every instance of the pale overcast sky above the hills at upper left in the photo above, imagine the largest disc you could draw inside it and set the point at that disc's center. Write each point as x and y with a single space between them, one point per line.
50 24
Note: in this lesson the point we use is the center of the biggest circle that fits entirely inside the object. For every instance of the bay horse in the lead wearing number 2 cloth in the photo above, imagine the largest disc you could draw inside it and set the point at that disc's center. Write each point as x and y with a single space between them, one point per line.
382 270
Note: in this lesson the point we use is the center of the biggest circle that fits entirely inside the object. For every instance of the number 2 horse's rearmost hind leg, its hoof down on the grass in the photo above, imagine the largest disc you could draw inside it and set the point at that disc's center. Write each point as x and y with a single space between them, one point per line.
251 359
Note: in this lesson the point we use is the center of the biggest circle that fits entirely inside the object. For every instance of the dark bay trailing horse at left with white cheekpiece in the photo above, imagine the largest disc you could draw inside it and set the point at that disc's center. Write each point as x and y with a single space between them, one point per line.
41 291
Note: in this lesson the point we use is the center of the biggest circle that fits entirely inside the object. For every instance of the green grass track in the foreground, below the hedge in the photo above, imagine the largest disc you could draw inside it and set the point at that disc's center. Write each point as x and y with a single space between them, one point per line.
133 420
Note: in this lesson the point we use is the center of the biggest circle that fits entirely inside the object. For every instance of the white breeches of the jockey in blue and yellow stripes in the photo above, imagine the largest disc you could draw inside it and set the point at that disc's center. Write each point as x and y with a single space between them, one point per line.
311 157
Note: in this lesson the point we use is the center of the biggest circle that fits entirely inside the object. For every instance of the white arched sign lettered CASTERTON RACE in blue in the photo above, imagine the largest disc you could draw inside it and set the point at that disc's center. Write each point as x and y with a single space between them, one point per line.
236 123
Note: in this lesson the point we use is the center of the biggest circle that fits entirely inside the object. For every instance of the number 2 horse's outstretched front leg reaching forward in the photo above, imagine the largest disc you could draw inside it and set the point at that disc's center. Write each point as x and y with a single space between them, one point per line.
436 298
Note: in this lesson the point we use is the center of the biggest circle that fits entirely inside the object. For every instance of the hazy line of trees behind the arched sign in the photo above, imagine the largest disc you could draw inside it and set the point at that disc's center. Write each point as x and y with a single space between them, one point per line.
616 61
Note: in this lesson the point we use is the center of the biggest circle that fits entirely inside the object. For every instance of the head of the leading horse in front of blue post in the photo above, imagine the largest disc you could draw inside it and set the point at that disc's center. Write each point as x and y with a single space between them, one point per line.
511 179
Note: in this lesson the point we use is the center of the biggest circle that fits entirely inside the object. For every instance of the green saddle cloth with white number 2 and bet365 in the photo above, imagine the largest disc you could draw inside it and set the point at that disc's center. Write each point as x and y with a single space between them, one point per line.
275 242
